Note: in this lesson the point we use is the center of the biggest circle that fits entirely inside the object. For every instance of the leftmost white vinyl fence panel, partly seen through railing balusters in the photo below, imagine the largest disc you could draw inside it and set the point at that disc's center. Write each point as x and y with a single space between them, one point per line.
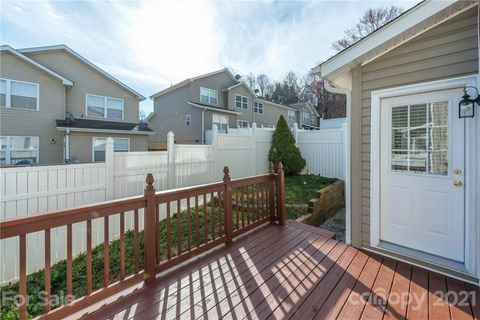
30 190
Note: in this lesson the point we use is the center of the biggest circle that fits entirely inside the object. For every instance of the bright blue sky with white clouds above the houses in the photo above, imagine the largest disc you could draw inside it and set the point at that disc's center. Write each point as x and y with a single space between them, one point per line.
150 45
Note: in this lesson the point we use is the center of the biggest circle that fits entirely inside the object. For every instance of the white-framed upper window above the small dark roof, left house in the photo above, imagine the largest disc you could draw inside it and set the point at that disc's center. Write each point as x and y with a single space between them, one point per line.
104 107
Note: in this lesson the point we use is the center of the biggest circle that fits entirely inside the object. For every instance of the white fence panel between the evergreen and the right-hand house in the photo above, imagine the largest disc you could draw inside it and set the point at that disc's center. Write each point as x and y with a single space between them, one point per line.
324 151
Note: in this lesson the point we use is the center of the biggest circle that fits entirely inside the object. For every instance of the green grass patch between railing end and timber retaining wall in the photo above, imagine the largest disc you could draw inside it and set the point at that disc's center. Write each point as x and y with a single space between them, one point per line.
299 189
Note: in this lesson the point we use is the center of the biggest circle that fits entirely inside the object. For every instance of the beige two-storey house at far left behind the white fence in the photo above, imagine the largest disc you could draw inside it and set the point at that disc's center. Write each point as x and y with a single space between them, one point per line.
58 107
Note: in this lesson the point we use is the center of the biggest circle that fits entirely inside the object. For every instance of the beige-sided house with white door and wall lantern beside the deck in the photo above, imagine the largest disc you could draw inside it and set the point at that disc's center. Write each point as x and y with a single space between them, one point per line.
414 165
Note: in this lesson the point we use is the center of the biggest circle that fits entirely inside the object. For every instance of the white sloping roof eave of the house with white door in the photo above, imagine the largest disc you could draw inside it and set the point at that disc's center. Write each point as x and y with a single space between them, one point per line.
415 21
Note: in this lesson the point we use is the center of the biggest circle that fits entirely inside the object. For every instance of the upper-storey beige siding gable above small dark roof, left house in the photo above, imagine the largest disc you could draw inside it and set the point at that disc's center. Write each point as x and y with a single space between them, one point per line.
86 80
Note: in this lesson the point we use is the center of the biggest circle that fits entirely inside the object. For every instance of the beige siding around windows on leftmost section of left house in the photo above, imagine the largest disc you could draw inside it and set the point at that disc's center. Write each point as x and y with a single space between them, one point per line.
19 122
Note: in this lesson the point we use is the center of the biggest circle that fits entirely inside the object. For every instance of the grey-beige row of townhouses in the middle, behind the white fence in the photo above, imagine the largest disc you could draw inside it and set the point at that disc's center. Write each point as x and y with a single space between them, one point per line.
191 107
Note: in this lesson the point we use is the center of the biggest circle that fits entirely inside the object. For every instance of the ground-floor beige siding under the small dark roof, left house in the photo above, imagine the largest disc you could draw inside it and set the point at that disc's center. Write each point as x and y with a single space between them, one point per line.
81 144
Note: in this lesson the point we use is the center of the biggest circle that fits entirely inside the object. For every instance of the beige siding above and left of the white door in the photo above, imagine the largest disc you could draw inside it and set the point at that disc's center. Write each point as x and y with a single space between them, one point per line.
446 51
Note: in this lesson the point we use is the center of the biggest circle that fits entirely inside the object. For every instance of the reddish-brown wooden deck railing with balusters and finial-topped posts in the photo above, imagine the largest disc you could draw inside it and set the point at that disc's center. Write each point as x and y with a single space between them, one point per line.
178 224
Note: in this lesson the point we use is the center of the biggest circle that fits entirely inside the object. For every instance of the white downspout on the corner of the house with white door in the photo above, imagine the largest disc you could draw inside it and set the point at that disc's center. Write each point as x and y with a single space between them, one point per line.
348 152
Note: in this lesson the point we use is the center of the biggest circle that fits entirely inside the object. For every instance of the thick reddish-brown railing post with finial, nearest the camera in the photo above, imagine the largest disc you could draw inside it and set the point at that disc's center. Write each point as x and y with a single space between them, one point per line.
150 241
